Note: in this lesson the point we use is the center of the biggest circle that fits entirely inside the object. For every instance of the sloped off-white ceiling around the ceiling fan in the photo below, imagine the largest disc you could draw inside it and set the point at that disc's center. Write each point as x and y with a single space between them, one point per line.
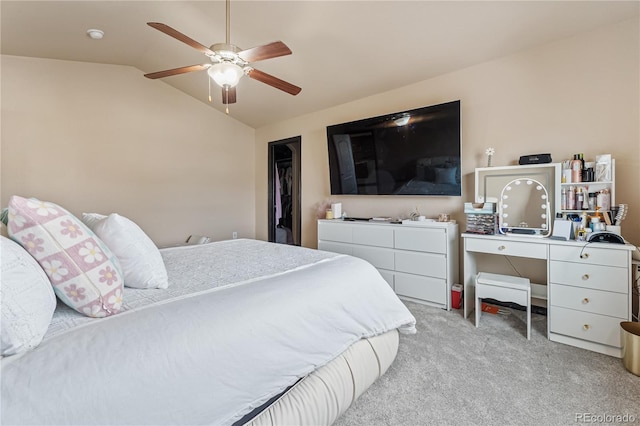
342 50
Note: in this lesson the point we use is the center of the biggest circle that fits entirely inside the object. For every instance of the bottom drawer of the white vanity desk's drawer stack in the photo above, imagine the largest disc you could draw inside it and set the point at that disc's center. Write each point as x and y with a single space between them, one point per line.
585 325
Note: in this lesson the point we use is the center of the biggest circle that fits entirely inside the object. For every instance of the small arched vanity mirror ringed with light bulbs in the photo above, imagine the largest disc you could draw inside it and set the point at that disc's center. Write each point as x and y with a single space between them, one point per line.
524 208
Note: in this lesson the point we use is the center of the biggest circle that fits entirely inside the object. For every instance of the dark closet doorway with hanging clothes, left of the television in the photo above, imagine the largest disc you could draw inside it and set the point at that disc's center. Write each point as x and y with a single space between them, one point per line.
284 191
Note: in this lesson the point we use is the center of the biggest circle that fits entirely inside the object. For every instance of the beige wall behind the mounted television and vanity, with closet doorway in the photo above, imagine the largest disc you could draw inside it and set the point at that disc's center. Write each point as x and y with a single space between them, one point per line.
575 95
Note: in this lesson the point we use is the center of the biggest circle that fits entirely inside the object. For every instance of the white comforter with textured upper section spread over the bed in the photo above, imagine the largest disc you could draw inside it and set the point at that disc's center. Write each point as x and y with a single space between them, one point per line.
230 333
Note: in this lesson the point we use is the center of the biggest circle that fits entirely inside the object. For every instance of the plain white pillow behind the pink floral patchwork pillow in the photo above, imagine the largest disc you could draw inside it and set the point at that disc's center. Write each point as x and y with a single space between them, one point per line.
140 259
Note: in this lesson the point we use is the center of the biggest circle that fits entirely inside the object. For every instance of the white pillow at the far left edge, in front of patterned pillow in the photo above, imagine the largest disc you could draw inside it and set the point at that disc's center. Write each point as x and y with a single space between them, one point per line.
27 298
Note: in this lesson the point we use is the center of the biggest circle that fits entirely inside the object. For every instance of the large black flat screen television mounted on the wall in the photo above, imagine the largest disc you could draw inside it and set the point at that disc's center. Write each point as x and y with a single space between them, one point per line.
415 152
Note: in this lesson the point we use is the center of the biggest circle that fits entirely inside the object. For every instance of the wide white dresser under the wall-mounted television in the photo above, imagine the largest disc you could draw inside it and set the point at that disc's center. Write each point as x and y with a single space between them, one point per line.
419 261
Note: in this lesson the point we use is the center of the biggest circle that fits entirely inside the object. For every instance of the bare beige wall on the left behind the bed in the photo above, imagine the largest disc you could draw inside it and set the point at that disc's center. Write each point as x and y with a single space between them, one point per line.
102 138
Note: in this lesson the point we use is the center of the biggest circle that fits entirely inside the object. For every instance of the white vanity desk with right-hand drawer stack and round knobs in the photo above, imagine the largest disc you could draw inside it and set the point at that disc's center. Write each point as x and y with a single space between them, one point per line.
588 291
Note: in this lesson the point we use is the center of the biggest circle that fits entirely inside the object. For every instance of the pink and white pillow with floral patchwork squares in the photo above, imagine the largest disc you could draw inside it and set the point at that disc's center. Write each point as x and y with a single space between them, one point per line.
83 271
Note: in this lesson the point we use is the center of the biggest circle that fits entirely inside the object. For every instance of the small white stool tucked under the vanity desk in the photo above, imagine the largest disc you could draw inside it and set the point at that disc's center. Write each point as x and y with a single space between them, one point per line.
504 288
